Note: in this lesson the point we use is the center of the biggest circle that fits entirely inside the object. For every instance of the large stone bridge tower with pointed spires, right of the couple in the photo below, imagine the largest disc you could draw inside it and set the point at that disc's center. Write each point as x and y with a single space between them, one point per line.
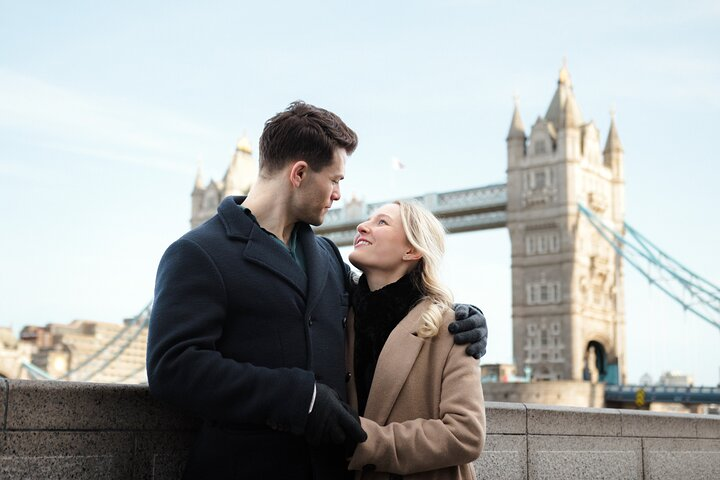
567 282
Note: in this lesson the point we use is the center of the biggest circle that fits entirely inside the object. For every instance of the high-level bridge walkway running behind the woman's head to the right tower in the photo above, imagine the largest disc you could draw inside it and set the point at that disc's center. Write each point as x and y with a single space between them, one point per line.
479 208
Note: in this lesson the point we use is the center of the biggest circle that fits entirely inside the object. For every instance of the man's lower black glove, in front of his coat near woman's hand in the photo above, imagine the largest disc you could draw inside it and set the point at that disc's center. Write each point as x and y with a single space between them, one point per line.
331 420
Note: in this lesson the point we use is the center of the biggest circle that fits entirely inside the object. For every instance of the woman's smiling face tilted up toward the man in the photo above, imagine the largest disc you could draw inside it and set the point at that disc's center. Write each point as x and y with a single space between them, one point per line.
381 245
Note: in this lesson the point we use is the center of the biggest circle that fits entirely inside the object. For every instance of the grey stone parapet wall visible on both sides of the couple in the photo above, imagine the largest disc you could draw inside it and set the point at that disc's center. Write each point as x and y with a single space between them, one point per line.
59 430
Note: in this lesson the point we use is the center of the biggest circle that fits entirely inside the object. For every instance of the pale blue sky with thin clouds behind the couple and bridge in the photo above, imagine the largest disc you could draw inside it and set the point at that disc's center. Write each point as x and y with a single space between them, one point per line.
108 108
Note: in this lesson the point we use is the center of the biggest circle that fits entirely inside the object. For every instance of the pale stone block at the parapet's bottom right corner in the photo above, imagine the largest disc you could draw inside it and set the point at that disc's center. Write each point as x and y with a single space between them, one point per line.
689 459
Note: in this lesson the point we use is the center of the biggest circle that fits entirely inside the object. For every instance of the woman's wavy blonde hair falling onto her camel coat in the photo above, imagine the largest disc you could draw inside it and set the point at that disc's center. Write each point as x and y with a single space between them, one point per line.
427 235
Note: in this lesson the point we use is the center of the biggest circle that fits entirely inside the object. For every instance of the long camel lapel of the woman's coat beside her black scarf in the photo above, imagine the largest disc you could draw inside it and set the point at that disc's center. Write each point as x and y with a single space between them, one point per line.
394 364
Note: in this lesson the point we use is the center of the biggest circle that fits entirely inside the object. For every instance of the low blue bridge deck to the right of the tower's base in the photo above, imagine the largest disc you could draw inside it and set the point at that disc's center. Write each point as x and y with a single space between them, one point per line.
641 395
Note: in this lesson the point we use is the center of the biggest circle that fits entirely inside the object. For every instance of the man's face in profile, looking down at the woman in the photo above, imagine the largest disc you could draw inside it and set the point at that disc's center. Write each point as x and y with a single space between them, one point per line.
320 189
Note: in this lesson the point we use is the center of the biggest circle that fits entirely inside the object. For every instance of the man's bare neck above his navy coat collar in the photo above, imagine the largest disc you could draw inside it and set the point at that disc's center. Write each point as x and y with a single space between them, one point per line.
268 200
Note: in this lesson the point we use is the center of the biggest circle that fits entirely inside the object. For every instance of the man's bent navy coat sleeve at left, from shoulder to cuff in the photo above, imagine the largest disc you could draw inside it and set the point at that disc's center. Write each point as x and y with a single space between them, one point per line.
185 369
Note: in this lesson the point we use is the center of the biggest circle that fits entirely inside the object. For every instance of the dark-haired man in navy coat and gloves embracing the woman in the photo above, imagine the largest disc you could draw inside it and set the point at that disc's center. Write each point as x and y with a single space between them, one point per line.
247 327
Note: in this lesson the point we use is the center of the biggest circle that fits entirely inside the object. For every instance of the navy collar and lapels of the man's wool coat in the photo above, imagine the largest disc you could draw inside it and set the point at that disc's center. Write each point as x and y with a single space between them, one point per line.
271 255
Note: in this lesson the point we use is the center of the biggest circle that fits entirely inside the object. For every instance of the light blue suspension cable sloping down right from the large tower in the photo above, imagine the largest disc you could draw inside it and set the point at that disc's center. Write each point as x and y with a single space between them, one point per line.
693 292
